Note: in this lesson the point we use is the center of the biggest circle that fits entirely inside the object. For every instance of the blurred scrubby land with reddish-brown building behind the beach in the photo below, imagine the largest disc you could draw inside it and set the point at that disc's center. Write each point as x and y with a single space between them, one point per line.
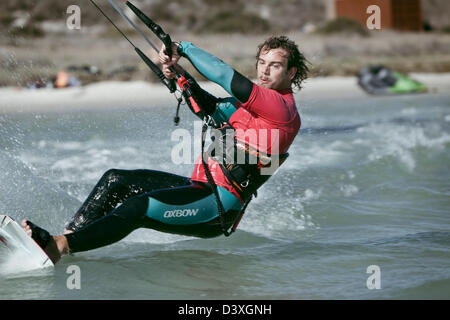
35 42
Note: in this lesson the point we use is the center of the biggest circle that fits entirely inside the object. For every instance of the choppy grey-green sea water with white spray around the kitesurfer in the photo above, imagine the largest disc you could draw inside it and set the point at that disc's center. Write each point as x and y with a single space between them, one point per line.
367 184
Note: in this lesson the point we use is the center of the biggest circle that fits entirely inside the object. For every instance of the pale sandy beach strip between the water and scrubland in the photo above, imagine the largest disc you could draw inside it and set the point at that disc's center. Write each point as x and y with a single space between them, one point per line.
141 94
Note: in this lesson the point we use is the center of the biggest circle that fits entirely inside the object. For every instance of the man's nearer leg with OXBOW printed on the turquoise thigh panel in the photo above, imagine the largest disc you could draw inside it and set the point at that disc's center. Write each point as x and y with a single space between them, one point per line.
135 213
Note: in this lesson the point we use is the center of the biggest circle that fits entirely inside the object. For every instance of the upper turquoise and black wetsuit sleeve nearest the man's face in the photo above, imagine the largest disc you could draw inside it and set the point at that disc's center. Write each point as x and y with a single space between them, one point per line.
217 71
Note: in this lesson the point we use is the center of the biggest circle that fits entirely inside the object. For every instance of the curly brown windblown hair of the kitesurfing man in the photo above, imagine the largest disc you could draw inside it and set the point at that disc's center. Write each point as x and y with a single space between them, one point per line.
295 57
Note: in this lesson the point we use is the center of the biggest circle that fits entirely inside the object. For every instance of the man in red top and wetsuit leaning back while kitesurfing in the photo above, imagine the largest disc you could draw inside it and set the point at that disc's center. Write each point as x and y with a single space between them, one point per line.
125 200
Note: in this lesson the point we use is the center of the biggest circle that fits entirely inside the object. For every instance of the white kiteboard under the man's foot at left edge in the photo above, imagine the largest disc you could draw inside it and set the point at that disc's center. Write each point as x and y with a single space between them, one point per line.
17 240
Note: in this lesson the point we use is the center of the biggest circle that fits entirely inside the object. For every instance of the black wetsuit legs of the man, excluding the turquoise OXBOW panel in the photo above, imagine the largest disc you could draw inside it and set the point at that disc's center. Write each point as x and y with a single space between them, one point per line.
119 202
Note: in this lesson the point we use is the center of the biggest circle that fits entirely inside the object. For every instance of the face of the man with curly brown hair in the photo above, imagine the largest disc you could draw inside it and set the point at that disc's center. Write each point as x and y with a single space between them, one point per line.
272 69
